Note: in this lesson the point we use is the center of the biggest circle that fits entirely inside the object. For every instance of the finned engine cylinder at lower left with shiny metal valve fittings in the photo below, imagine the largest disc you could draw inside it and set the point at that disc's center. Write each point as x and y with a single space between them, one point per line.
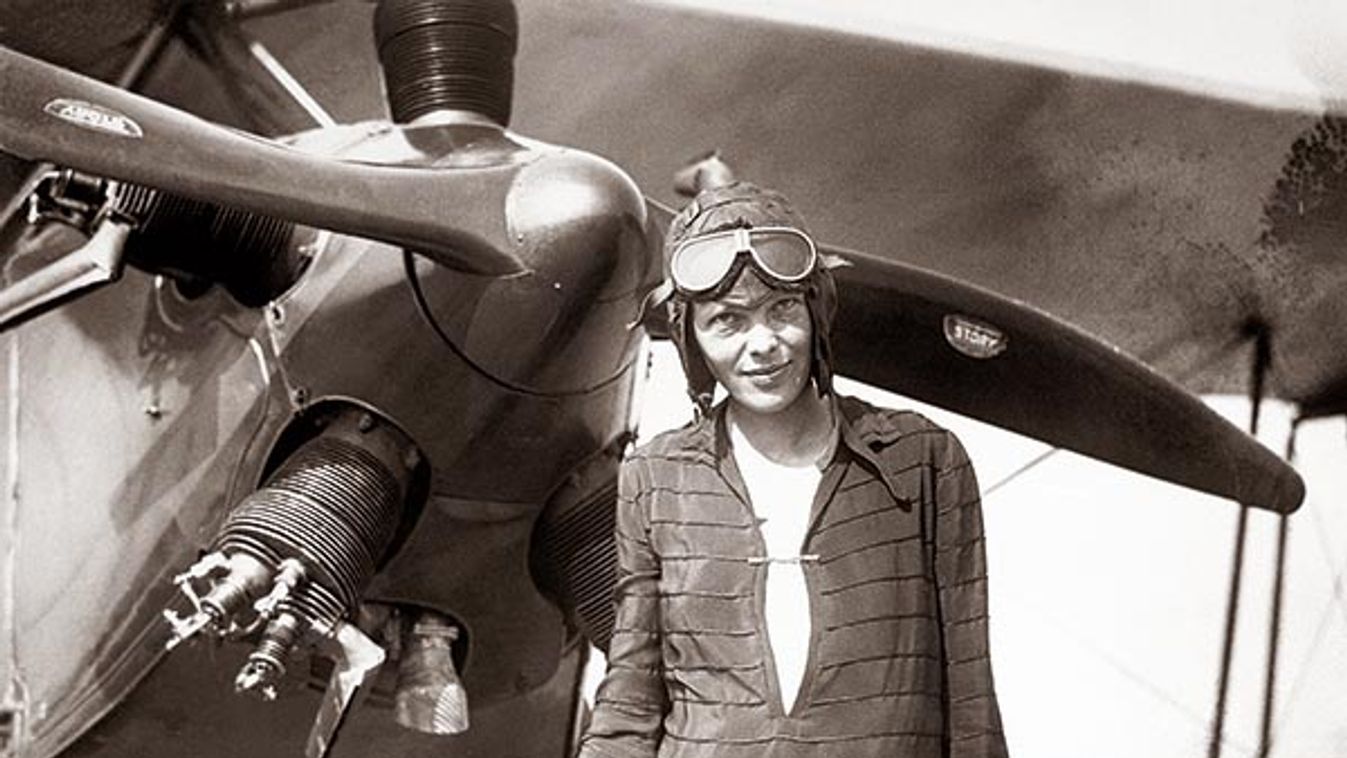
292 561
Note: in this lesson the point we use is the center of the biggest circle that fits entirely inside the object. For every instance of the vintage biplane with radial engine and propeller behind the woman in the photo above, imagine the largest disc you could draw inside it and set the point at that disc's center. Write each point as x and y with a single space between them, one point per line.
321 326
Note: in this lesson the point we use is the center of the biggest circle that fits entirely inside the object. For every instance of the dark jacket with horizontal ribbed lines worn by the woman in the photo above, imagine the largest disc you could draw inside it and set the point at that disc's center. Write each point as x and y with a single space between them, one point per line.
896 574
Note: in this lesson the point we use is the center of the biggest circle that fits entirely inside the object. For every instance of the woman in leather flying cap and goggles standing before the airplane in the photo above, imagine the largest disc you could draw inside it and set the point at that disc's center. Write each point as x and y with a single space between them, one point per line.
801 574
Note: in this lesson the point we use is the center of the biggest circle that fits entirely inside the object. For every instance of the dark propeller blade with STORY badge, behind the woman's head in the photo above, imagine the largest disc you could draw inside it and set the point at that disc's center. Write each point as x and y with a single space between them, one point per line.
954 345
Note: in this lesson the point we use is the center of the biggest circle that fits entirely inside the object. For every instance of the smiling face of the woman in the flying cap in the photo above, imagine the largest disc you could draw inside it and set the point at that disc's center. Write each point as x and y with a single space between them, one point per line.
758 343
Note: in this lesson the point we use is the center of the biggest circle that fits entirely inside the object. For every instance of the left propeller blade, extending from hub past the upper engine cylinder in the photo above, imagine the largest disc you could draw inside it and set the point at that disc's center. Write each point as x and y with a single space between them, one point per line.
49 114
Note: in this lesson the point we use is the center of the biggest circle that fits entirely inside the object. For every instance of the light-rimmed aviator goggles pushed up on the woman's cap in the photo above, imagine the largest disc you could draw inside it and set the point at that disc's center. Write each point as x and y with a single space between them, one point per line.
702 265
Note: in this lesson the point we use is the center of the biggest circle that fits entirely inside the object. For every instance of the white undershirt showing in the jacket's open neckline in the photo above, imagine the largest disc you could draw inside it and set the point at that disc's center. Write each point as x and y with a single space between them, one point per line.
782 497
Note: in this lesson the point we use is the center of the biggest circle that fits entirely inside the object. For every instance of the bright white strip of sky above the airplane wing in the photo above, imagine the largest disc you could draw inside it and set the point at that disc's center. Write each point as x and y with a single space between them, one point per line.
1266 52
